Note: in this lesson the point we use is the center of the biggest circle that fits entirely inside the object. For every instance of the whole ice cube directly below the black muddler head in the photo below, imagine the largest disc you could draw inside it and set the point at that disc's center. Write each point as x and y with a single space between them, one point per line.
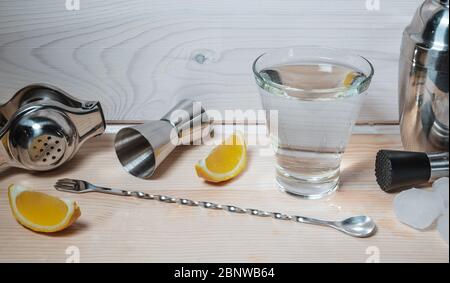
418 208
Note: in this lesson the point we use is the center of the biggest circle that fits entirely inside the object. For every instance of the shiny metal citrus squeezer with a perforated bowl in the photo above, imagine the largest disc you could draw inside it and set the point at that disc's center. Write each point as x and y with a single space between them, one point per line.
42 127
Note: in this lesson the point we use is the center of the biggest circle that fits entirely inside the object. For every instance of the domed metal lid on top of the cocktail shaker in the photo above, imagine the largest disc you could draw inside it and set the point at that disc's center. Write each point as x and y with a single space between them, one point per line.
425 40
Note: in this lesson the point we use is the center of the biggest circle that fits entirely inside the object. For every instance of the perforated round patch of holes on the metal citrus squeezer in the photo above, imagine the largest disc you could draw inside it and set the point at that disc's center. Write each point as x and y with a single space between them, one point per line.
46 150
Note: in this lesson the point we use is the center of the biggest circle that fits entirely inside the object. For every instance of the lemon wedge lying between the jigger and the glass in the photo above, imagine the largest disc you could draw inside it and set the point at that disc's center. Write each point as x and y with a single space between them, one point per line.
225 161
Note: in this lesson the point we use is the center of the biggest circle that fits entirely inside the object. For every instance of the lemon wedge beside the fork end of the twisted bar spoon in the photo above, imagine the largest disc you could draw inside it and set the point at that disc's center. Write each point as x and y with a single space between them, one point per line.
41 212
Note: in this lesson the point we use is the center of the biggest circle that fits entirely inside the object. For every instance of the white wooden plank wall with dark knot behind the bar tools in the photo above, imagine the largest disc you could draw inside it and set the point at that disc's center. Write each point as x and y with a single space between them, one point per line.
138 57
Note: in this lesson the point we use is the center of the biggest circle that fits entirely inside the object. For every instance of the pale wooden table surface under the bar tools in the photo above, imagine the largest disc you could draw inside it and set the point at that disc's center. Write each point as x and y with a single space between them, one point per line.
116 229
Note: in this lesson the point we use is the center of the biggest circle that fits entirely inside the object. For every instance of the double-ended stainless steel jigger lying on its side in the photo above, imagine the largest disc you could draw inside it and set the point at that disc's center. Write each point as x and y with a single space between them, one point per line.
141 149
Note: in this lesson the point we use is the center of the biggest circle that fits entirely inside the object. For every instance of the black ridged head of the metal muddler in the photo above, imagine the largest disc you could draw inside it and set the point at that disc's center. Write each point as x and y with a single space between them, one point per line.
396 170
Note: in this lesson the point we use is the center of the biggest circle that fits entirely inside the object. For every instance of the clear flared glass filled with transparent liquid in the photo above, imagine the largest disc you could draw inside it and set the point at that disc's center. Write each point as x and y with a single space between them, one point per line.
317 94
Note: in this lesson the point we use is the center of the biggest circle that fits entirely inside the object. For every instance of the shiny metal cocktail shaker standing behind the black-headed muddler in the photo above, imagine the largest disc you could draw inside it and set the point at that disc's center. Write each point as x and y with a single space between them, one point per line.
423 79
